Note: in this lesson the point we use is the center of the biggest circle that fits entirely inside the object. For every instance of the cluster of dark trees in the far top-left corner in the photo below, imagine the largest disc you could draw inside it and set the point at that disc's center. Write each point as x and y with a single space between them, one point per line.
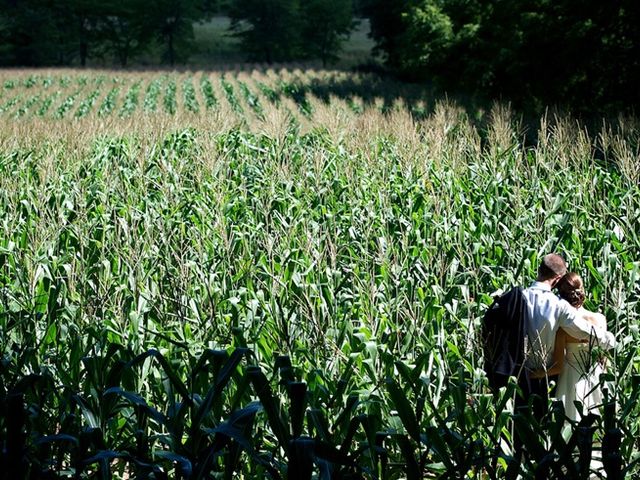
40 32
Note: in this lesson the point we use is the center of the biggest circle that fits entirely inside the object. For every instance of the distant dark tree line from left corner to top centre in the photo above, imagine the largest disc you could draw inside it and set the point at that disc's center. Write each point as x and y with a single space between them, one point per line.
72 32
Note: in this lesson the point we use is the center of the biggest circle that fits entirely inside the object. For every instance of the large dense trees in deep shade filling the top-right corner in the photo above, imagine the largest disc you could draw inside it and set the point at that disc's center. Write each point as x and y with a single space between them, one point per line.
584 54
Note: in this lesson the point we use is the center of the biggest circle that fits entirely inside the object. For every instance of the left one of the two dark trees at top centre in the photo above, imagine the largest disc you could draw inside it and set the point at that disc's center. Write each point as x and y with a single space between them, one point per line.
269 30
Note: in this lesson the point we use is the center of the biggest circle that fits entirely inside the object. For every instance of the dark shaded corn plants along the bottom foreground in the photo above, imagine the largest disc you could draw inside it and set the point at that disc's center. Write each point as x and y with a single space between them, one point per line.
211 424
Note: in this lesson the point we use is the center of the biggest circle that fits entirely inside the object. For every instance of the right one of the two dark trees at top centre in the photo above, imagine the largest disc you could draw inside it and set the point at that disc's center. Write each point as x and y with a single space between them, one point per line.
327 23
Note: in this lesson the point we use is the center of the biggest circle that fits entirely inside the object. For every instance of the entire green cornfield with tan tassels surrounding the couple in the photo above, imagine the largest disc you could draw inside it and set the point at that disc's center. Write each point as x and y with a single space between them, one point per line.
282 274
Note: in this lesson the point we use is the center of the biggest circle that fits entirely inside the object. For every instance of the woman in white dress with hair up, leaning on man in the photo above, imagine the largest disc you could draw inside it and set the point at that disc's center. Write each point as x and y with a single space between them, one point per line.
573 361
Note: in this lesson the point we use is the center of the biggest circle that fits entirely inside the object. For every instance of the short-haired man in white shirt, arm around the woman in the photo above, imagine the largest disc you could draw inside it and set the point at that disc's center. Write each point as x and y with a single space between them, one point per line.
547 313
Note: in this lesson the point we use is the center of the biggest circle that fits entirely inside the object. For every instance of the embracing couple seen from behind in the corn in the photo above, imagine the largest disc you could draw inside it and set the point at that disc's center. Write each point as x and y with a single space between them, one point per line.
561 334
